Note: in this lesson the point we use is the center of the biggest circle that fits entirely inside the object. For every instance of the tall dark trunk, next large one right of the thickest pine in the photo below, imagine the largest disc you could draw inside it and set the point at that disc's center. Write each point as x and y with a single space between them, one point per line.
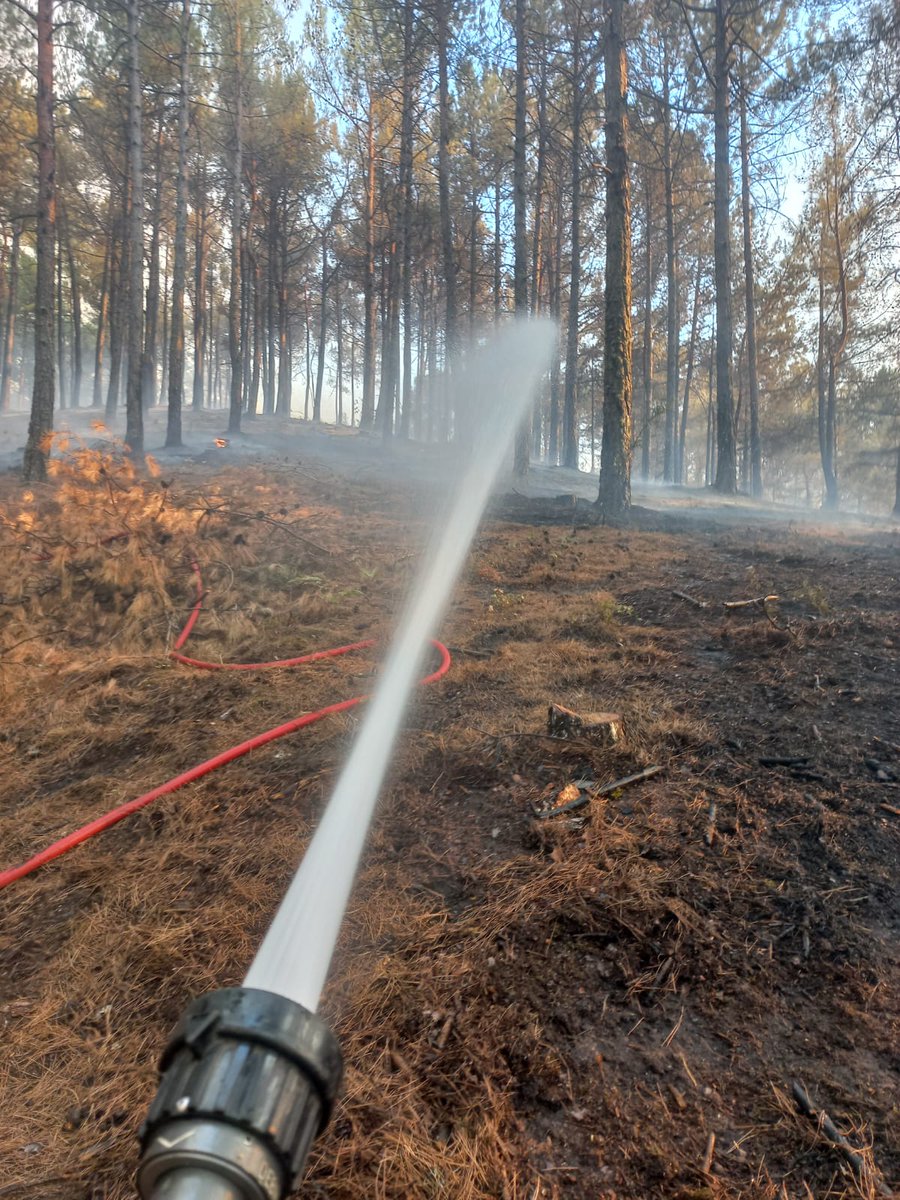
727 448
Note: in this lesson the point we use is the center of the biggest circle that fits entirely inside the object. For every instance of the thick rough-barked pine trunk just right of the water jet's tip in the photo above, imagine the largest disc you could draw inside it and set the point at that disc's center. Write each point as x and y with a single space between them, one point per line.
615 495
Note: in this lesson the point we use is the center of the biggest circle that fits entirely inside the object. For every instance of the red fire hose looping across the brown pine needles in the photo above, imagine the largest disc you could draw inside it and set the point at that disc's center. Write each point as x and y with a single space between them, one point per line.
125 811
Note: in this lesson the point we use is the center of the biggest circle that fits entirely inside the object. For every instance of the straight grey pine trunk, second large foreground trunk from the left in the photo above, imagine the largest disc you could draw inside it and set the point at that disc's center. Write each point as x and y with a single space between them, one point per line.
135 411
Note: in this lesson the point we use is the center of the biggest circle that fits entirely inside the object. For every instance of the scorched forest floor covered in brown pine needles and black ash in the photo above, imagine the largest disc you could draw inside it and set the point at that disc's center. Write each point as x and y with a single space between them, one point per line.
609 1003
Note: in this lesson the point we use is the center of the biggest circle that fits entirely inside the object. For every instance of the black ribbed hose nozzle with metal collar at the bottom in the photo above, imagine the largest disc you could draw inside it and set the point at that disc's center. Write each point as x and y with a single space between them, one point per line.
248 1082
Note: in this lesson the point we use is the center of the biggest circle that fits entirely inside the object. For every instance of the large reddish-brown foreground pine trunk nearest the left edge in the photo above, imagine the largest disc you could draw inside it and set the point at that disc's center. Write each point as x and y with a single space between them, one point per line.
41 422
